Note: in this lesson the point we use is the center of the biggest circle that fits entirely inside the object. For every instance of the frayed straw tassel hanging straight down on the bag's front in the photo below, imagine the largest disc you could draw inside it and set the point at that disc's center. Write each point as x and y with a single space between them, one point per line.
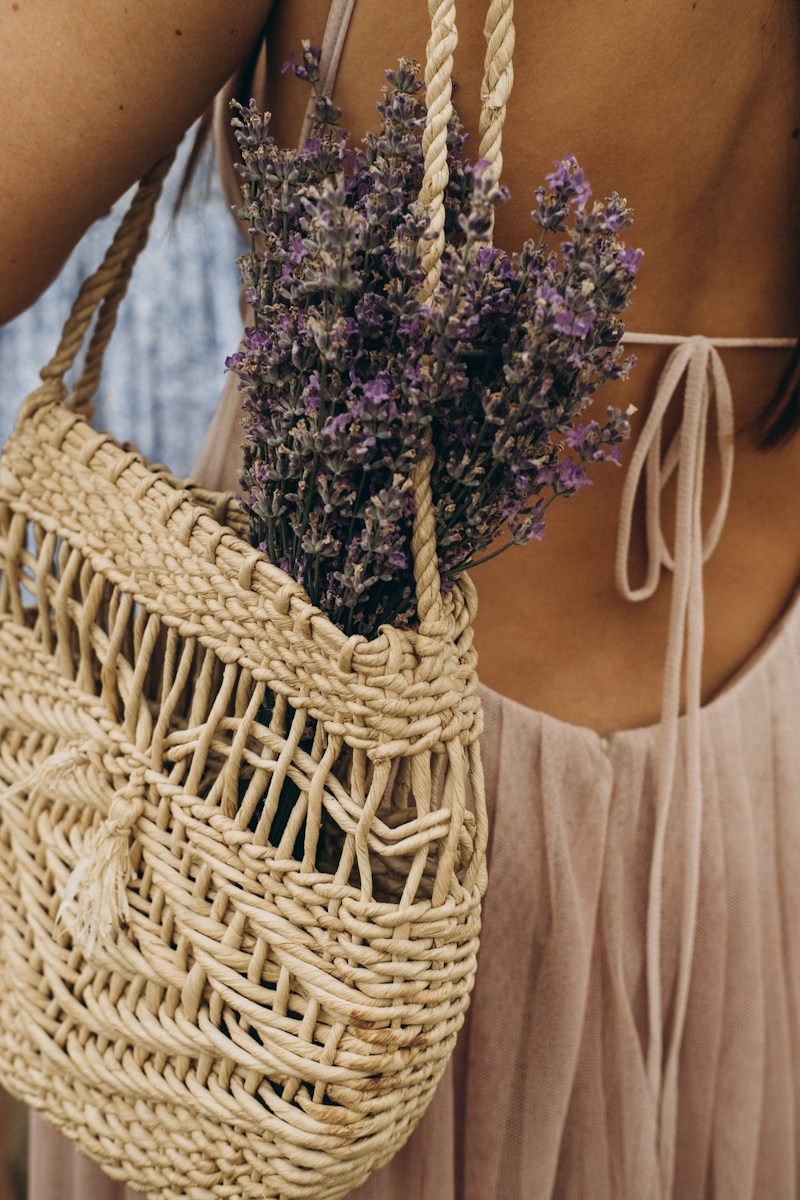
95 902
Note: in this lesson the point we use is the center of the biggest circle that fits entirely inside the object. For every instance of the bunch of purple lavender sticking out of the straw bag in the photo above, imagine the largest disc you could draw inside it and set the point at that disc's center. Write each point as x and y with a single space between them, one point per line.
348 376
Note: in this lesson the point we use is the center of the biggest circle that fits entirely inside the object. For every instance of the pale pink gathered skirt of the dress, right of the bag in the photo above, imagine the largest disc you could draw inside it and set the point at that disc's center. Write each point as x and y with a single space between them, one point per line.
549 1096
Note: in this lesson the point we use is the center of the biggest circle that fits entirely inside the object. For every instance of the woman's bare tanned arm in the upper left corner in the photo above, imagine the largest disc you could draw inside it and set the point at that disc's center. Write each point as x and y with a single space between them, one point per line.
92 95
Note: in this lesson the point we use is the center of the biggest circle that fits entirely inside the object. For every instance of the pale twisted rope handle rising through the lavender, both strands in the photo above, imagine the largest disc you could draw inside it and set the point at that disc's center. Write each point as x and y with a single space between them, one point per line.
496 89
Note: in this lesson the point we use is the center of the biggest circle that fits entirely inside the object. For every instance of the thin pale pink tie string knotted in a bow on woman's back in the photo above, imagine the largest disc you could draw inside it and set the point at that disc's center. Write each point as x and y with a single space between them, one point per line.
697 363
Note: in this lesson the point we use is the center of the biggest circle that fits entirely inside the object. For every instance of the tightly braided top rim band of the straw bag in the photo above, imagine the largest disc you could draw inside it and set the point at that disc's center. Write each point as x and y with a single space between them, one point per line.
204 580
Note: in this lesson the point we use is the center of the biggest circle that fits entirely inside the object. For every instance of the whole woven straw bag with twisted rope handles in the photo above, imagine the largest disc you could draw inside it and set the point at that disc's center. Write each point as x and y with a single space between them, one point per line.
204 1006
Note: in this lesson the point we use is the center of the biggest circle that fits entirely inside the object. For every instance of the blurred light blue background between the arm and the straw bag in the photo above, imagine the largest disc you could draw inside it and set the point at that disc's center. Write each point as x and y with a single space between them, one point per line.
164 375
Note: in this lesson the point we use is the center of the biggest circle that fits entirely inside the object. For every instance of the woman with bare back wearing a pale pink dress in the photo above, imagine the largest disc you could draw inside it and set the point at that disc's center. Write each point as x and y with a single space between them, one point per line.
634 1033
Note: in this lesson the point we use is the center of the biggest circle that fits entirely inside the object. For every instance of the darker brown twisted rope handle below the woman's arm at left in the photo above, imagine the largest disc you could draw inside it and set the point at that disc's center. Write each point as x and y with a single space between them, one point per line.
104 291
